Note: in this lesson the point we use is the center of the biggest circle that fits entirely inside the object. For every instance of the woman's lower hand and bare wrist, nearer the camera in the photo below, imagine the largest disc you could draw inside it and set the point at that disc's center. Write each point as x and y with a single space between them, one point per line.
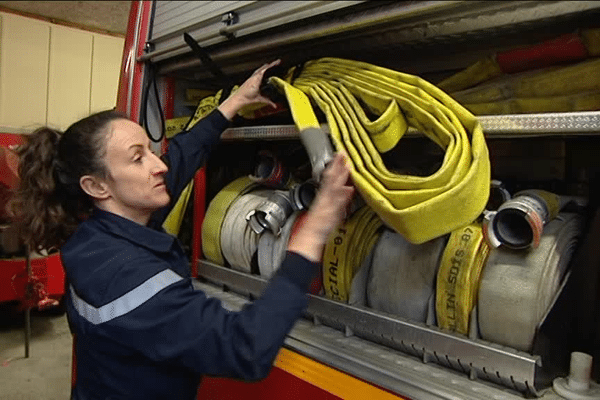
327 211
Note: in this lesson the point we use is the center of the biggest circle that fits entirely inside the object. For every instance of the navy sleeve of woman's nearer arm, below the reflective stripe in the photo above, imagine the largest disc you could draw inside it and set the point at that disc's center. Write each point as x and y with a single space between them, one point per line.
182 326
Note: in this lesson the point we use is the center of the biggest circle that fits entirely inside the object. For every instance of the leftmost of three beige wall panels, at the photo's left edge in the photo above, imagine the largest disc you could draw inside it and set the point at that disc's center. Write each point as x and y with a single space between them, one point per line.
24 49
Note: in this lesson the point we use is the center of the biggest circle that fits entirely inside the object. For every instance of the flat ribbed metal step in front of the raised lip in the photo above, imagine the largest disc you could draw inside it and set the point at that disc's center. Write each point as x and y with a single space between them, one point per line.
387 368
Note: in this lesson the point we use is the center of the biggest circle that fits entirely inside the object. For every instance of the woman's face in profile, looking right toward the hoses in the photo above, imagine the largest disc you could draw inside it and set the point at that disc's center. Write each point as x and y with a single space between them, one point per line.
135 174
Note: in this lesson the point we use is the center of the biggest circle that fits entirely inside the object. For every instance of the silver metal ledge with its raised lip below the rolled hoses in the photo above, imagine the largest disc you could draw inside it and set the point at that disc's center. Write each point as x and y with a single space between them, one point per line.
396 354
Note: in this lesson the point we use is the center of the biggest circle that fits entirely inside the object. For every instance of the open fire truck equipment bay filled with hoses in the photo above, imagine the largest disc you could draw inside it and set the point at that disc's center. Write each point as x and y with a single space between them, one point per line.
468 265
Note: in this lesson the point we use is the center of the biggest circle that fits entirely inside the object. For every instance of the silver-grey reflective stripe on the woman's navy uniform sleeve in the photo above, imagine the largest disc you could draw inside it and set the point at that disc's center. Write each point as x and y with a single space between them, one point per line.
126 303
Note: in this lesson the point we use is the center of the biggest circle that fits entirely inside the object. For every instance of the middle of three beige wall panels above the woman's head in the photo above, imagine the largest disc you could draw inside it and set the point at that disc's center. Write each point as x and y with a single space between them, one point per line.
69 76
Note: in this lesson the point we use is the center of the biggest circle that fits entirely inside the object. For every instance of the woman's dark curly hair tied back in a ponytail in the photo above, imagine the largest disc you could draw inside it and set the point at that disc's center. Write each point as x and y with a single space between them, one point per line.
49 203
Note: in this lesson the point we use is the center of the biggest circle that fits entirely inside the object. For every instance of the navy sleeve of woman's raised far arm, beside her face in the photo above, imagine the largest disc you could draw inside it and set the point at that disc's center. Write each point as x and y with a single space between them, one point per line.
187 152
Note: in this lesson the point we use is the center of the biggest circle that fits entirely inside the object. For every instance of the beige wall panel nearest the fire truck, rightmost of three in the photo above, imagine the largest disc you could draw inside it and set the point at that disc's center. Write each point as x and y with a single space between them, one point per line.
106 67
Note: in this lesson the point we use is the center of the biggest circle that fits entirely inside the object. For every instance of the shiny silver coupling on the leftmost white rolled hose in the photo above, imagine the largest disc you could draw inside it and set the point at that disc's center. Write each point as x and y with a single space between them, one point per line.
272 213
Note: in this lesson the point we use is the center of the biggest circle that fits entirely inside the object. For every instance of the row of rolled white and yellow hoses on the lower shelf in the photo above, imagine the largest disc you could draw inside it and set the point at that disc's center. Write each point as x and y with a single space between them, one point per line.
455 281
